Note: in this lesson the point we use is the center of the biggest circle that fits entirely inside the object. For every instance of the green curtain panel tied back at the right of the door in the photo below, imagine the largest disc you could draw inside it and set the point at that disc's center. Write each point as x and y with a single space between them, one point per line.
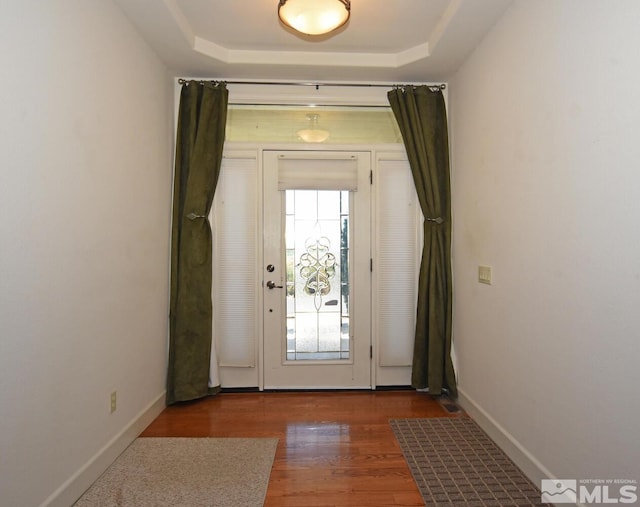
421 115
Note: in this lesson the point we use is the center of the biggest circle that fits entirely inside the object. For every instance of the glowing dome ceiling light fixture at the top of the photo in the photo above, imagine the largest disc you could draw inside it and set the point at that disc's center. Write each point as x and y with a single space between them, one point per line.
314 17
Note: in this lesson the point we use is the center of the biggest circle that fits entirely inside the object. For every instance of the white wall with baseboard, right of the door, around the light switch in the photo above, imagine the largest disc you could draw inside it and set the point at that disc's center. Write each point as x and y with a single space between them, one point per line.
546 179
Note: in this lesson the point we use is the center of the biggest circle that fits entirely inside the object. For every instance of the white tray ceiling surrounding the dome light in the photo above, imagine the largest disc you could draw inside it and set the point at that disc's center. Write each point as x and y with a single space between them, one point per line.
385 40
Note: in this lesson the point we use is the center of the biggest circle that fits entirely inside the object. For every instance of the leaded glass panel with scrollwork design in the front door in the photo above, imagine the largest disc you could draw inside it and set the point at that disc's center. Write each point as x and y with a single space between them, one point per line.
317 260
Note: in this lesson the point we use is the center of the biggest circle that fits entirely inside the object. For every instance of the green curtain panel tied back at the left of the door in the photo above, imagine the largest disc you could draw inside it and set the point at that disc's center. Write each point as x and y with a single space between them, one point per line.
199 142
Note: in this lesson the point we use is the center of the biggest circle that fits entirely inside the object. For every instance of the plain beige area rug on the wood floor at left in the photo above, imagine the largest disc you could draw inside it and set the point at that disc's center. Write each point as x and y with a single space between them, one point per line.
186 472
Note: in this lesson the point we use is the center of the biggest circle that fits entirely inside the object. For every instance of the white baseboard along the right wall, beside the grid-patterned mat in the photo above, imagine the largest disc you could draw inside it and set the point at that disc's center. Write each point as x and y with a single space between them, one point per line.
521 456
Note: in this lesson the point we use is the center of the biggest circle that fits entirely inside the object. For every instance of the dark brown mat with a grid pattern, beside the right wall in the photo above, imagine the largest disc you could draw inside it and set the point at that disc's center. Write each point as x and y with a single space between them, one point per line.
455 463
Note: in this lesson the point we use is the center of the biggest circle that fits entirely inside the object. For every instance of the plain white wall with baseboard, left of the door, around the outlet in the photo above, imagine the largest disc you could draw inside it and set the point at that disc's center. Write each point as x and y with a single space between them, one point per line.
85 177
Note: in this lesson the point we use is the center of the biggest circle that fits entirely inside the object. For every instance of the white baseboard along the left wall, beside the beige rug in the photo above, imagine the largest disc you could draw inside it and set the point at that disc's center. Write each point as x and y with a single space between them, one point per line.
72 489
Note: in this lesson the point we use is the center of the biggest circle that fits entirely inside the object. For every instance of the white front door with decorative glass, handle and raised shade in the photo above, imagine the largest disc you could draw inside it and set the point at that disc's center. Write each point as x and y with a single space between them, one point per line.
316 273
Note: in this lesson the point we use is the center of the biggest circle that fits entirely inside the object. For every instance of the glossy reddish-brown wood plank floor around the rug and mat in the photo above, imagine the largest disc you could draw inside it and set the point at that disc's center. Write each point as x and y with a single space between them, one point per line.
334 449
